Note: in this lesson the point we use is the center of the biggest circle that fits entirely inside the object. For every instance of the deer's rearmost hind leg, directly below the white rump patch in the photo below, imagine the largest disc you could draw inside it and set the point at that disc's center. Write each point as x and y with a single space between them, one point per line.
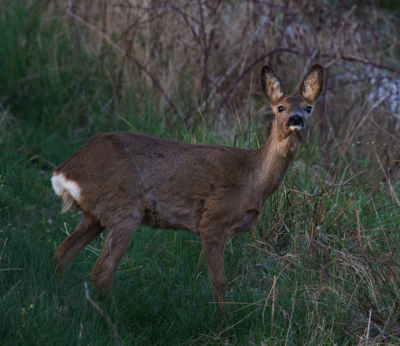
86 231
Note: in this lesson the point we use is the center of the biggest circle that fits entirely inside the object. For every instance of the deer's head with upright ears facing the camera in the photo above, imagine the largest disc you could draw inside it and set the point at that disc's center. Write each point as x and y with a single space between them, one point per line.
292 112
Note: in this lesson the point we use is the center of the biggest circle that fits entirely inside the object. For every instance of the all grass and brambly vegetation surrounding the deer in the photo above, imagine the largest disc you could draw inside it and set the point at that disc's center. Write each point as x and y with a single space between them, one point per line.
322 266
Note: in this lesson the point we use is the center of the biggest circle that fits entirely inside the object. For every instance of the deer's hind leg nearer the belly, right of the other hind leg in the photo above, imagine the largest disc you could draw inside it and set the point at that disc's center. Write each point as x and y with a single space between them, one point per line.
117 241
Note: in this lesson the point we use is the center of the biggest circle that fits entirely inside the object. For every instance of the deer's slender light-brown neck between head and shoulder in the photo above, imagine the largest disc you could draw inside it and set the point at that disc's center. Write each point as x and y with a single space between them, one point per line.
276 159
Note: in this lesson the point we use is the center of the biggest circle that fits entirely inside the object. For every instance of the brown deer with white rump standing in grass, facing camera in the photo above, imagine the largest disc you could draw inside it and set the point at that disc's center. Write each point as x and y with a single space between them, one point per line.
123 179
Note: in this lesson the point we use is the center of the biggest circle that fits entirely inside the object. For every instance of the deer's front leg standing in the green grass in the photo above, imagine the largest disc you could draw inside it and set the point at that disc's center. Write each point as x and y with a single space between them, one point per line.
213 249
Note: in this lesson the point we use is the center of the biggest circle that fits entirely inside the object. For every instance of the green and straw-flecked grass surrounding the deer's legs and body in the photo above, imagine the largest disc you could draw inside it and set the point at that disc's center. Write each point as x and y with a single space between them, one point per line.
312 273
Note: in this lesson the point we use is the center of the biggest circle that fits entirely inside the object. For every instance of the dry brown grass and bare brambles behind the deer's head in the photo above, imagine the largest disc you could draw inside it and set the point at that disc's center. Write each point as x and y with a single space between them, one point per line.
212 49
